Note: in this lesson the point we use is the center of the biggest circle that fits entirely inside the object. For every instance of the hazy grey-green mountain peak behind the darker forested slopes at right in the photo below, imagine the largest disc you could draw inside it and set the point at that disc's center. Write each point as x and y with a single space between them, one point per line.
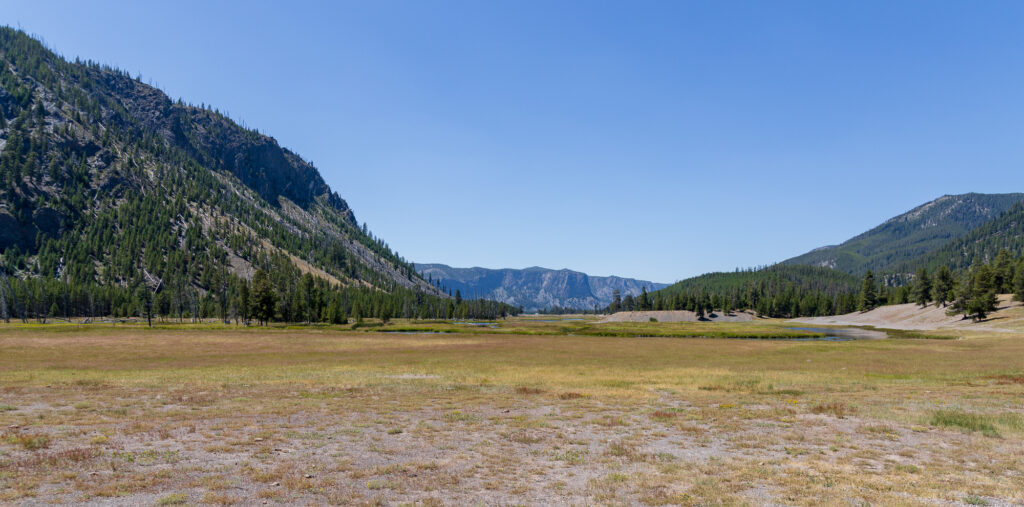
913 235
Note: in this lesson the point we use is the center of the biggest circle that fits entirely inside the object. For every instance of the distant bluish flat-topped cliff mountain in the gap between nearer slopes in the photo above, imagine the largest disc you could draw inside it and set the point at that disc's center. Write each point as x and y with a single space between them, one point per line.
535 288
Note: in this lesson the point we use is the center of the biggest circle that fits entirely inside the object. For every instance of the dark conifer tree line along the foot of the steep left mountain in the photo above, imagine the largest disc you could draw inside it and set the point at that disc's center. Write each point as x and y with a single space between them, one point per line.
282 295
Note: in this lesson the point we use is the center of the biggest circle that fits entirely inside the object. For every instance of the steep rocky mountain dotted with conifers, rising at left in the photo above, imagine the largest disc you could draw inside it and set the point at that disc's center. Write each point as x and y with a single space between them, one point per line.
107 182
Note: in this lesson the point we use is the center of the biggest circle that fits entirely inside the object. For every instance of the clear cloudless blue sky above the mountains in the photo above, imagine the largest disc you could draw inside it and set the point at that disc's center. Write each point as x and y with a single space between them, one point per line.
649 140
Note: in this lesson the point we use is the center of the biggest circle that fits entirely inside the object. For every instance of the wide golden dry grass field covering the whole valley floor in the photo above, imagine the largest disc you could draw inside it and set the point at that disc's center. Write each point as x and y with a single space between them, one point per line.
530 413
